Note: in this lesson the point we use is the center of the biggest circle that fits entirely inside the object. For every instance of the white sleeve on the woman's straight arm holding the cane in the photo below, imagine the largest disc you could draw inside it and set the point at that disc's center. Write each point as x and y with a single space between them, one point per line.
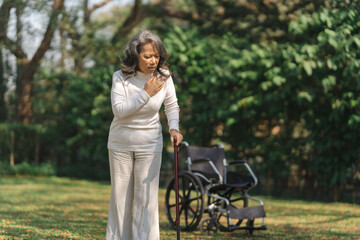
171 105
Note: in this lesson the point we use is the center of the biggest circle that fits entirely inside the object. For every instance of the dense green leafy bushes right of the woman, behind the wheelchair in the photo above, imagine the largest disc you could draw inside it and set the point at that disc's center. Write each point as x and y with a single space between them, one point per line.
290 106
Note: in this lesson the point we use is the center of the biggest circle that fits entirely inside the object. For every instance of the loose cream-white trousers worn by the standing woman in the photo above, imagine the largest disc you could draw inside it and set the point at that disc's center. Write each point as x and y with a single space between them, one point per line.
133 208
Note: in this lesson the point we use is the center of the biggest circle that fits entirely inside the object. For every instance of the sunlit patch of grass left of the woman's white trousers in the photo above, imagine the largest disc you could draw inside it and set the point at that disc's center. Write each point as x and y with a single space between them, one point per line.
53 209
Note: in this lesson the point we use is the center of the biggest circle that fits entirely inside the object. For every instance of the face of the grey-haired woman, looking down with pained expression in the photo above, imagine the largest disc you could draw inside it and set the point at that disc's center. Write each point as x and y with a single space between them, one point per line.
148 58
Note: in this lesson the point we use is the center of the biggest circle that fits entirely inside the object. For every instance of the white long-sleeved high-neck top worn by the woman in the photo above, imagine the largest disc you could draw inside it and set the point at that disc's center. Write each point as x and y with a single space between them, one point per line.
136 125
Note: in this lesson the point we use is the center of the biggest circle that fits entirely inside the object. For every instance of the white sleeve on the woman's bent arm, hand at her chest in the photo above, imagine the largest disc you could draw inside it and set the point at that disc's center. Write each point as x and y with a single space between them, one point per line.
123 105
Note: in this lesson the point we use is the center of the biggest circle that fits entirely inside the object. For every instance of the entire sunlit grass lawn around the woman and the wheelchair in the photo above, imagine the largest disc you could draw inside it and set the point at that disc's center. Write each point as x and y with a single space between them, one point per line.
62 208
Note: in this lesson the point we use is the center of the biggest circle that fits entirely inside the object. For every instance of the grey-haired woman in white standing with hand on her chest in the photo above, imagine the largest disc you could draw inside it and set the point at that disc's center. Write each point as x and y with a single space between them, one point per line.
135 139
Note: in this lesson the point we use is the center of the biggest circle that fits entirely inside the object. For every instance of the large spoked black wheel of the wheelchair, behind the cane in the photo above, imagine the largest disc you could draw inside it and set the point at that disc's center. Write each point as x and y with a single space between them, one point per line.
191 201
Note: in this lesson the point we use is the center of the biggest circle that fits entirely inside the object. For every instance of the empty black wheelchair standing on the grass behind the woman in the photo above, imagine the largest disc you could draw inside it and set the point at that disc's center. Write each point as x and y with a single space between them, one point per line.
207 179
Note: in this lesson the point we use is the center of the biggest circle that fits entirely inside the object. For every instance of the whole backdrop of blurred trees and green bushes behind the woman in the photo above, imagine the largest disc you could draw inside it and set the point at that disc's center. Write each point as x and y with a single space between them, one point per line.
278 82
